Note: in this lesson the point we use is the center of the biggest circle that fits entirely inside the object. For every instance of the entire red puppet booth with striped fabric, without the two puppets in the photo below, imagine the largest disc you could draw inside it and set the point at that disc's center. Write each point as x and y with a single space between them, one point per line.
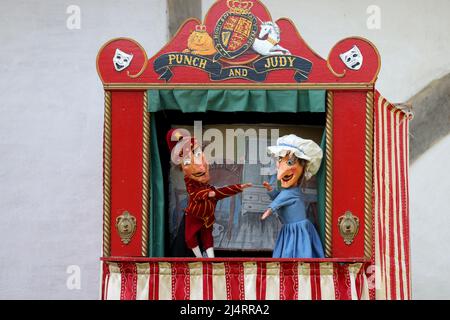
242 71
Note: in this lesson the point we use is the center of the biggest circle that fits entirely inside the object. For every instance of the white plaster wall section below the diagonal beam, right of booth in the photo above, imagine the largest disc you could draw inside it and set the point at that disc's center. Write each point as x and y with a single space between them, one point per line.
430 222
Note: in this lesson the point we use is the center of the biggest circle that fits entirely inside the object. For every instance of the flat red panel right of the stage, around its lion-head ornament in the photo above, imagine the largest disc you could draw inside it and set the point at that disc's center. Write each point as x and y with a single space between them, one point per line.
349 125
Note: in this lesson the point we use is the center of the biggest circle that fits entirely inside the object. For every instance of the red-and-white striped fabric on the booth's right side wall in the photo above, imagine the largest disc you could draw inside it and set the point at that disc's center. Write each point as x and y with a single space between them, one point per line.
391 201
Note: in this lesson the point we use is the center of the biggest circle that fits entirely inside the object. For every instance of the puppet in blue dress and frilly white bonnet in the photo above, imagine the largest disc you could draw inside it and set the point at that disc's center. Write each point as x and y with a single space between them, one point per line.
297 159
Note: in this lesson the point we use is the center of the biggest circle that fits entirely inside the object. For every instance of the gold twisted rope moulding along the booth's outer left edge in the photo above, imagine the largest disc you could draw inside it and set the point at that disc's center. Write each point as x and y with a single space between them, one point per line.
107 176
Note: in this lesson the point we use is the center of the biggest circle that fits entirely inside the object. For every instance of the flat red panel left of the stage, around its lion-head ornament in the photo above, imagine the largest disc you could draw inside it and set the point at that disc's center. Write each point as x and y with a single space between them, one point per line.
126 167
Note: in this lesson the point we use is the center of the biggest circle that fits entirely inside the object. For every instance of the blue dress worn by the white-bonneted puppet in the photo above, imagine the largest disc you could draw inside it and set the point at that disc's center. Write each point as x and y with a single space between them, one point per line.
298 238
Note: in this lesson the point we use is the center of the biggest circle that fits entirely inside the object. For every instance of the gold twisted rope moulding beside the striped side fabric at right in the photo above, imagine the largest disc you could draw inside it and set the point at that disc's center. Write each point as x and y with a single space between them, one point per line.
368 170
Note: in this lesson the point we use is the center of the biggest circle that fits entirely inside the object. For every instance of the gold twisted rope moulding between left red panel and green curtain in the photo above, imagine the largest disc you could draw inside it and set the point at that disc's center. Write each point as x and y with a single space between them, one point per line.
145 177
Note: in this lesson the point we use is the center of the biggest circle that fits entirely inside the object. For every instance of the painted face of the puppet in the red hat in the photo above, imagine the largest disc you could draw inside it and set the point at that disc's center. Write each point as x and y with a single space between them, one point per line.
194 165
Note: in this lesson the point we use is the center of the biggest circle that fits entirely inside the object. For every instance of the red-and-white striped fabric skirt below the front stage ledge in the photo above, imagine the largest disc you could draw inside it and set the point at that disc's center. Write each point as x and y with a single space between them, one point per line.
233 280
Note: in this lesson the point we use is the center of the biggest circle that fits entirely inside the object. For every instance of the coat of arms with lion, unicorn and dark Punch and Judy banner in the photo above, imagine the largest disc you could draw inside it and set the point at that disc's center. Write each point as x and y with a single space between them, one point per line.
241 45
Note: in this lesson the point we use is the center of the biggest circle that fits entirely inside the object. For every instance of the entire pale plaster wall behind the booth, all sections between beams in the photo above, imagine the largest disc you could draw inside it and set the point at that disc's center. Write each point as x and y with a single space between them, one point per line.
51 121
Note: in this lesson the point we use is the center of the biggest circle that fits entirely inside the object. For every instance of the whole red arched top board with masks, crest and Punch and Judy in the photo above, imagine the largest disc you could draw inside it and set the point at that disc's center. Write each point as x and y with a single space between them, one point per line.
238 42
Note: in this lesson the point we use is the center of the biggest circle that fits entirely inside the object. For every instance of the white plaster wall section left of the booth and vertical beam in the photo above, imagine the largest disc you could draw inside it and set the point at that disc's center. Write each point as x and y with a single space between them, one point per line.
51 123
